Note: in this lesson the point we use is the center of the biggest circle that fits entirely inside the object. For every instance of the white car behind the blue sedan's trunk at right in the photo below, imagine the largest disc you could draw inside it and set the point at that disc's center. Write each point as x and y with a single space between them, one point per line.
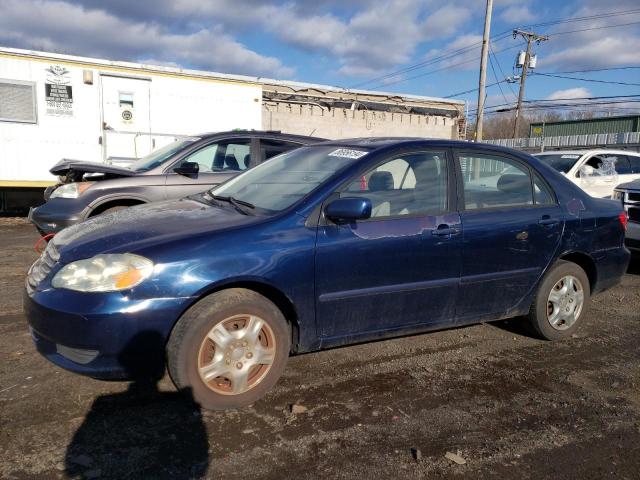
597 172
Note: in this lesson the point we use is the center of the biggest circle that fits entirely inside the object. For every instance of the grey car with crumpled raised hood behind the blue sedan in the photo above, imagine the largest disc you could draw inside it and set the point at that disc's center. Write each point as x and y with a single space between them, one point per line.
187 166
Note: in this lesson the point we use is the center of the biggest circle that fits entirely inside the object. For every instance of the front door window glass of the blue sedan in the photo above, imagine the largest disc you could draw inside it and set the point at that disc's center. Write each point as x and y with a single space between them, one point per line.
414 184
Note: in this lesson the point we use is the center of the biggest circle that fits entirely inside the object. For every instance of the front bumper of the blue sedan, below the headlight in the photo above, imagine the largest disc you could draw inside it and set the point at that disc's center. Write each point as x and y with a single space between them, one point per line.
102 335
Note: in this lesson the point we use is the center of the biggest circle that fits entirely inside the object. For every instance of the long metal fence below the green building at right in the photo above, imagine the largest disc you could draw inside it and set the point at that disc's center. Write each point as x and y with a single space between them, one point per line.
578 141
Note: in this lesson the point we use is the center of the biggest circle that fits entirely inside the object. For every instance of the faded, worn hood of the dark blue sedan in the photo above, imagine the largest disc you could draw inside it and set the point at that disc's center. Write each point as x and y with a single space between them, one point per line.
142 226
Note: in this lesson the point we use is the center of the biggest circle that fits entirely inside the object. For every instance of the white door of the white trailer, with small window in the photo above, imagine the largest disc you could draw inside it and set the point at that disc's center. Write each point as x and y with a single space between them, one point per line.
126 118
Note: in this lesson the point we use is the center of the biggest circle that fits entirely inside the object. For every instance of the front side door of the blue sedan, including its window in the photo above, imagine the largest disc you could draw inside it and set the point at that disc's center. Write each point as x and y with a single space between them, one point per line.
401 267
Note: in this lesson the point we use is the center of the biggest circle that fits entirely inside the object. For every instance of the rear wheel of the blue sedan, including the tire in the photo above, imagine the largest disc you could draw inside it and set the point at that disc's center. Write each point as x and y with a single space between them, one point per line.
560 302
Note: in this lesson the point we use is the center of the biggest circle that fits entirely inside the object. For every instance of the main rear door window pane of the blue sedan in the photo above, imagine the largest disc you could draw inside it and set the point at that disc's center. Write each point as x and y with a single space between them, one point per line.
493 182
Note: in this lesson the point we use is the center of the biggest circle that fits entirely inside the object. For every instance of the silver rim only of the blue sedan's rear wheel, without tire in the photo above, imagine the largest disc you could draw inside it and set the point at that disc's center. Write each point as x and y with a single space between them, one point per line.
565 302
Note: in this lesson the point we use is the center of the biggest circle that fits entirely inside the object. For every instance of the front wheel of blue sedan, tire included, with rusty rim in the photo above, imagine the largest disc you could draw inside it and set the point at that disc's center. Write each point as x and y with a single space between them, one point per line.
229 349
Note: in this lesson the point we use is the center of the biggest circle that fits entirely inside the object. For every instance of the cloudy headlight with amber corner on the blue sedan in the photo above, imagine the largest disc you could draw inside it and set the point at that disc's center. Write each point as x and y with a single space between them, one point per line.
104 273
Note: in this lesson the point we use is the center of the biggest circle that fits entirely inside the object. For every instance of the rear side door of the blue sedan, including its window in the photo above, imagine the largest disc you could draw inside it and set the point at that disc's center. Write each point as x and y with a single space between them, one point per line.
511 230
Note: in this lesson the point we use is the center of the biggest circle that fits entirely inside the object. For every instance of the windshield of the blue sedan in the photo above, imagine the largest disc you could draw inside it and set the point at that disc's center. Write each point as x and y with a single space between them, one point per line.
283 180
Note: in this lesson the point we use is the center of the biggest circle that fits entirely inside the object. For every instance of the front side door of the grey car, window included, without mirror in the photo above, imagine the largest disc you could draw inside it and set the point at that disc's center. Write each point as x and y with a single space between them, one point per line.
218 161
